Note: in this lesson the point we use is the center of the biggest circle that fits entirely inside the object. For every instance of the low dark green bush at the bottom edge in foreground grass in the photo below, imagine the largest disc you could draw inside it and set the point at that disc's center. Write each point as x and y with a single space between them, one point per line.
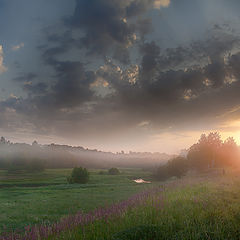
139 233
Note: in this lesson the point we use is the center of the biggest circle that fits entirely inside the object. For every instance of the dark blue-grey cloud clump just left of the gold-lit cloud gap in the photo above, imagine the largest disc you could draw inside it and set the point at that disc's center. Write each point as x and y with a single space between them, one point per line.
70 89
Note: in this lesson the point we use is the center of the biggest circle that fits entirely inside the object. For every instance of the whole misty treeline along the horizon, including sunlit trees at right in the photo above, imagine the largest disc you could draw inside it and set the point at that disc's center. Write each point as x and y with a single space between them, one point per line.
209 152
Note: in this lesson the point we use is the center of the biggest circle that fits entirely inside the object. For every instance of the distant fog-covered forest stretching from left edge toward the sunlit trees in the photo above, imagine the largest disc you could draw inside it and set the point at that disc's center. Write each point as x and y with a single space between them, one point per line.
21 156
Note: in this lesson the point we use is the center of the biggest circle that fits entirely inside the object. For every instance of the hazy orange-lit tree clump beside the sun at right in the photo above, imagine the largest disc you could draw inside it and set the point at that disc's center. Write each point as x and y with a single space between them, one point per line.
210 152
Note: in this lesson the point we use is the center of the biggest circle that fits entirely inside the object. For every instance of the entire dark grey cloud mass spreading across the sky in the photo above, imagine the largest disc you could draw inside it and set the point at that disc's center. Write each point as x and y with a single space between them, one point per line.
195 81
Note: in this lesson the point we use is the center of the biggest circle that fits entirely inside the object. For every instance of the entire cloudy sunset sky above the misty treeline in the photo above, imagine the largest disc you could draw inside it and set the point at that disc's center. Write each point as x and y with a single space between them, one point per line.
139 75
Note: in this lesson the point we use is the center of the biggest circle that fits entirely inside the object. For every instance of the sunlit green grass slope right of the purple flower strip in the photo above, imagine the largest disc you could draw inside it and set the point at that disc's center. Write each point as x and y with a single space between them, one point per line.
190 209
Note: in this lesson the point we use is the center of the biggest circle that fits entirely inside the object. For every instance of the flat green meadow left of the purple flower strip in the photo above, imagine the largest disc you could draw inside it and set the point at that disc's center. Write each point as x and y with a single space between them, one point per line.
28 199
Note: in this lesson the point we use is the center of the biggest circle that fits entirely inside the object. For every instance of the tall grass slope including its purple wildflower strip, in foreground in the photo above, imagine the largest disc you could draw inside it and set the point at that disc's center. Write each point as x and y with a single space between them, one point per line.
206 210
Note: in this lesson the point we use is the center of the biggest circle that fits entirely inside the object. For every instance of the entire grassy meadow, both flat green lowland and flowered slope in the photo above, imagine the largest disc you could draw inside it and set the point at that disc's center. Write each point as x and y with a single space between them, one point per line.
192 208
